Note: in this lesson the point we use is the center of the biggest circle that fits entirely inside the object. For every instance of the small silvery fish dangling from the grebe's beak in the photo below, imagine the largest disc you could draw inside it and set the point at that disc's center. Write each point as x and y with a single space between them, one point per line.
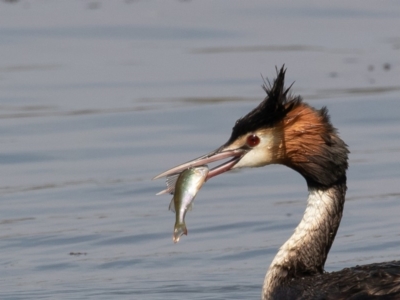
188 183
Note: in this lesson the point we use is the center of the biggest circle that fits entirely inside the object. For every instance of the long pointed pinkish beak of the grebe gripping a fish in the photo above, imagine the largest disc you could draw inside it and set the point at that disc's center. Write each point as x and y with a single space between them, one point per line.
216 155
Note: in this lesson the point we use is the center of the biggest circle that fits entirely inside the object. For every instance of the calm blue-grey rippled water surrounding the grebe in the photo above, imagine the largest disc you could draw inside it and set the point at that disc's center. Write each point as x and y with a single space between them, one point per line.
98 97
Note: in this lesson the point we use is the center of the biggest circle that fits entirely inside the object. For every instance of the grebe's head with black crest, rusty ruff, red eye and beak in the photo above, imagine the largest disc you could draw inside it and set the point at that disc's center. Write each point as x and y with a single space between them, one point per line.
280 130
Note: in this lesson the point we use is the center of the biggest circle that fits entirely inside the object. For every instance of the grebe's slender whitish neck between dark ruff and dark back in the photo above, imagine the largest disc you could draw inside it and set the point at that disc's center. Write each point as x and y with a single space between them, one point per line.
305 252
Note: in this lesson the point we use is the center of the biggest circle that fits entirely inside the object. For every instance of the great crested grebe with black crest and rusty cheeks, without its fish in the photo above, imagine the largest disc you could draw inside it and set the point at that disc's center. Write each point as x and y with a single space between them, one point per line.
285 130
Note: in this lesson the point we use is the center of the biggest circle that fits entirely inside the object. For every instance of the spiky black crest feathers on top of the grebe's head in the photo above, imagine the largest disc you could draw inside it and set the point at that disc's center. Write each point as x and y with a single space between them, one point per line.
270 111
